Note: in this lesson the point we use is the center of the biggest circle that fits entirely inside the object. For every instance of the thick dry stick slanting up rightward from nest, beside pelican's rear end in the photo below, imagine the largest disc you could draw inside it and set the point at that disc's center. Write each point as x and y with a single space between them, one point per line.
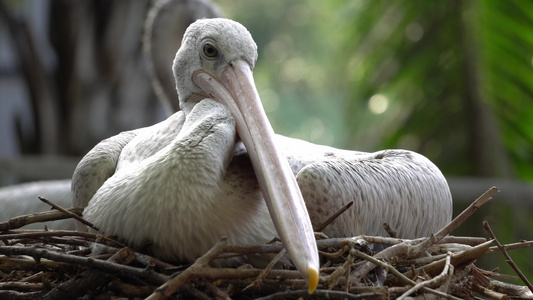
416 250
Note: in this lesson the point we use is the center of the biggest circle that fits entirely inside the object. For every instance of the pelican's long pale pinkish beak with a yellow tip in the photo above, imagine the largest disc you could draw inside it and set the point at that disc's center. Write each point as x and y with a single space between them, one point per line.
236 89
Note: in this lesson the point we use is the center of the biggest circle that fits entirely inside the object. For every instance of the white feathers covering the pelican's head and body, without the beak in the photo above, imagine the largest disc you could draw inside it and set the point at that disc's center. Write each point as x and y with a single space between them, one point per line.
184 183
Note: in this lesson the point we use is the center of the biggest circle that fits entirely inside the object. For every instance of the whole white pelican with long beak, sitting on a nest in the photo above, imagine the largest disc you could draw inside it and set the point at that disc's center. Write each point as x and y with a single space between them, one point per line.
215 168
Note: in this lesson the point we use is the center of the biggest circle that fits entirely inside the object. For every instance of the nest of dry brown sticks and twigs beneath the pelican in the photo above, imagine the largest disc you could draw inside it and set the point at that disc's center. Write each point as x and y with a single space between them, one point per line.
60 265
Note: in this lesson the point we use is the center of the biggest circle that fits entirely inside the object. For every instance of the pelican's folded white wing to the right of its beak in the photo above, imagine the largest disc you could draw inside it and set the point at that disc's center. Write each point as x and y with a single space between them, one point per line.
398 187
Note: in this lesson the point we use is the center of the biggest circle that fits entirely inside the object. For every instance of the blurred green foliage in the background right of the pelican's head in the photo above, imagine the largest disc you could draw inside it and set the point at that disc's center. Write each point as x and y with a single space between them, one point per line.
452 80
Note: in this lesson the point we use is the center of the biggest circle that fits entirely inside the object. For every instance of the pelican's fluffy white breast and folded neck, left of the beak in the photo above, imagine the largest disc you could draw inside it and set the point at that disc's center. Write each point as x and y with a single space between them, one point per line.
172 188
